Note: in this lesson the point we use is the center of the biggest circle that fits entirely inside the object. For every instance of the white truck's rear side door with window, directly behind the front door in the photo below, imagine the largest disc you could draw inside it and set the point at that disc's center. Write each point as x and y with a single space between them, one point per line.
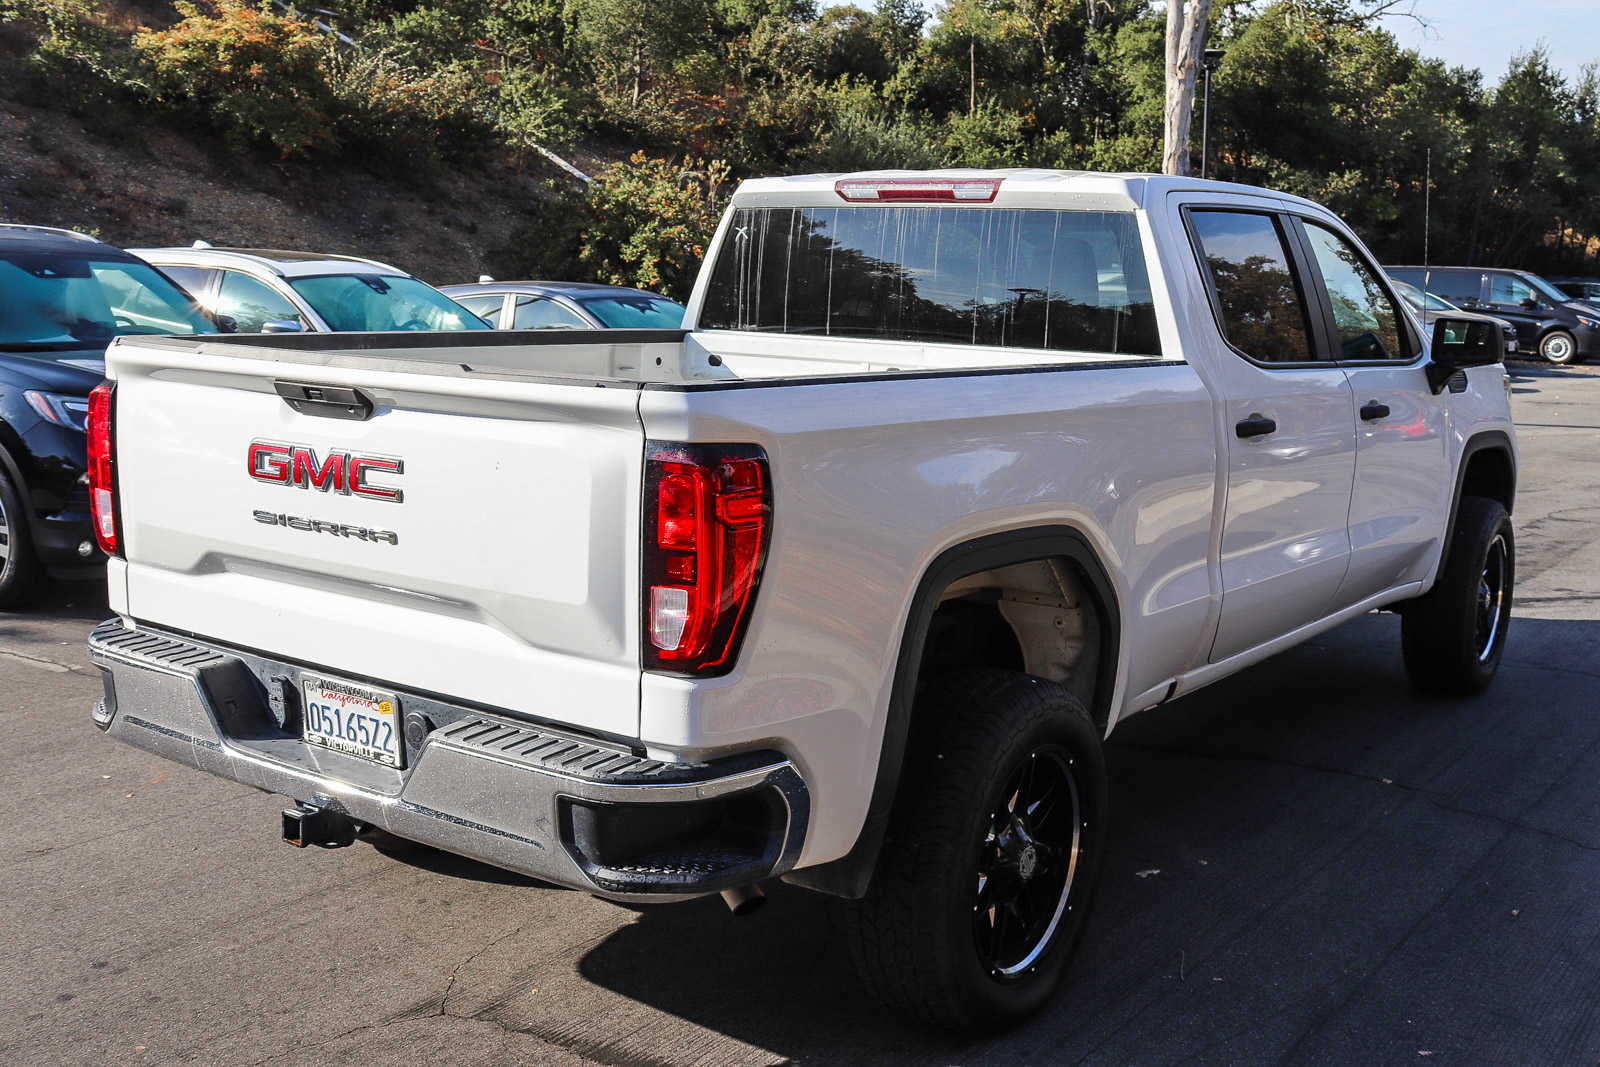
1289 423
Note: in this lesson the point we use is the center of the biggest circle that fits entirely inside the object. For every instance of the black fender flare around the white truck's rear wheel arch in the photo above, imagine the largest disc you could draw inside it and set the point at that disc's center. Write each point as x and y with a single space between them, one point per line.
852 874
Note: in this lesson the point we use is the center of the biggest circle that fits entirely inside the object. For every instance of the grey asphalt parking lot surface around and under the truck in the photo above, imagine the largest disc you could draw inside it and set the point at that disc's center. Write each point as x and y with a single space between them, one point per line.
1310 865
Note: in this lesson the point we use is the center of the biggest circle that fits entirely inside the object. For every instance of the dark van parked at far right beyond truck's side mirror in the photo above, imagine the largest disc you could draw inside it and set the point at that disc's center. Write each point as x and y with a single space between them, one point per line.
1548 321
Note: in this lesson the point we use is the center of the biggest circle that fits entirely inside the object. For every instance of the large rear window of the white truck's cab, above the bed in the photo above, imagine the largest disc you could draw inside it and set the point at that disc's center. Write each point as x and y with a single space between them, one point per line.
1028 279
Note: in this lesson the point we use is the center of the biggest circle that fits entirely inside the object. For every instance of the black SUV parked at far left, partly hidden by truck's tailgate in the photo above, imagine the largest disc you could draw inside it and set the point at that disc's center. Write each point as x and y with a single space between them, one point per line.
63 298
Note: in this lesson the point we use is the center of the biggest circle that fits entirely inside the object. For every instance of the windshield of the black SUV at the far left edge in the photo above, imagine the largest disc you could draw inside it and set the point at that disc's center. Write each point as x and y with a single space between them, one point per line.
60 302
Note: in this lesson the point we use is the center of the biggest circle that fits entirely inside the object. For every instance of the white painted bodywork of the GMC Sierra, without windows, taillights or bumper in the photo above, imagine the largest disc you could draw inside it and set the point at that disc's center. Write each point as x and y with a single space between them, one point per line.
516 581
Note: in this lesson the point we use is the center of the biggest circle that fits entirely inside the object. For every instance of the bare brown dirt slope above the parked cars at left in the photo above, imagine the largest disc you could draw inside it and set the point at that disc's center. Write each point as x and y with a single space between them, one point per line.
162 188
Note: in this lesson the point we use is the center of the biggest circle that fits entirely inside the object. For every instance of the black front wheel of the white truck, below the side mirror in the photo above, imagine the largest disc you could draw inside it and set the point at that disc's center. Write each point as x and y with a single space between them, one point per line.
1455 636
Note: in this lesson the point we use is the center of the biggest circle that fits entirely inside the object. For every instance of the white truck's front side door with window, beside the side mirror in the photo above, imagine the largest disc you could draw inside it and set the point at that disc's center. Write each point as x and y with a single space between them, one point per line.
1402 466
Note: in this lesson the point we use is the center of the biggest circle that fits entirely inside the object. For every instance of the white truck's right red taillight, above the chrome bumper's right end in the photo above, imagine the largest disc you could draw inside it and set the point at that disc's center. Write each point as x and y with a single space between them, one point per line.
708 522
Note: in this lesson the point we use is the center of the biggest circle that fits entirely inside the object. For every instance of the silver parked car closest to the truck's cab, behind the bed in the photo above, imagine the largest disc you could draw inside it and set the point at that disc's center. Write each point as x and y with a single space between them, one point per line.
566 306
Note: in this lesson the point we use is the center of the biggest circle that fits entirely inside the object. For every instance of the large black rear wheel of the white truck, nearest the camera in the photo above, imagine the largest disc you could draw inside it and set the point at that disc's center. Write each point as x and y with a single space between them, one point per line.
993 853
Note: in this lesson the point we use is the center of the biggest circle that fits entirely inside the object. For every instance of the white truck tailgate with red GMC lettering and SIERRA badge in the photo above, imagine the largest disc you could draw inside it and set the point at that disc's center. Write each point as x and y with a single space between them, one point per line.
505 575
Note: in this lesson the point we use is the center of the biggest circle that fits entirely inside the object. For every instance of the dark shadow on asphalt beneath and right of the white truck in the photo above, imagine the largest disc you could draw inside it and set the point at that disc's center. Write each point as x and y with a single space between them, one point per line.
1308 863
